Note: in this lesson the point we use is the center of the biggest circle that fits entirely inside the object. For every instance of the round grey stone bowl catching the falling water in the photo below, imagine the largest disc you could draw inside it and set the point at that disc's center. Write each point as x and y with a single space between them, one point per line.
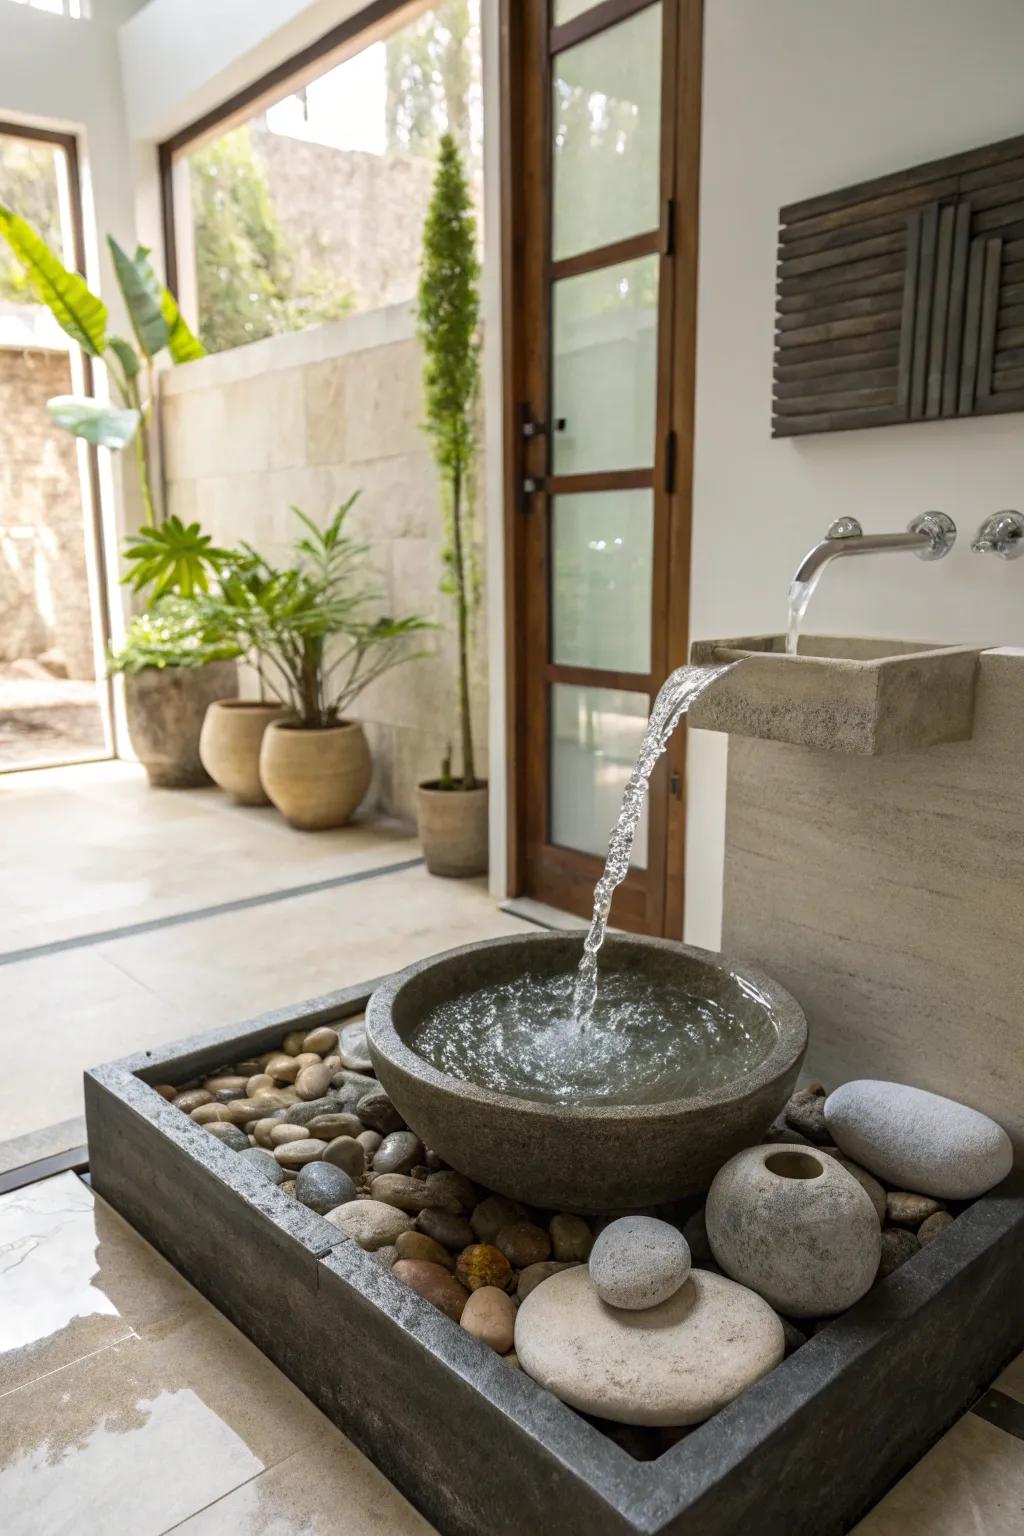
586 1157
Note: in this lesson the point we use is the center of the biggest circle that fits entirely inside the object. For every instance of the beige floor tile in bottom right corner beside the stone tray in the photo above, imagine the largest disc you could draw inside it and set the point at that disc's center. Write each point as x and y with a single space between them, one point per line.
971 1485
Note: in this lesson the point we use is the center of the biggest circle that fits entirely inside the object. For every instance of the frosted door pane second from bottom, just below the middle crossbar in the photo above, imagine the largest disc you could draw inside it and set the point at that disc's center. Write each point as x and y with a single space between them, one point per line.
601 581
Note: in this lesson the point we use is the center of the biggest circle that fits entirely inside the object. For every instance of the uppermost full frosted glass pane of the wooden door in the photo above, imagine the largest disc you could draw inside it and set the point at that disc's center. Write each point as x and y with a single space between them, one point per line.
607 124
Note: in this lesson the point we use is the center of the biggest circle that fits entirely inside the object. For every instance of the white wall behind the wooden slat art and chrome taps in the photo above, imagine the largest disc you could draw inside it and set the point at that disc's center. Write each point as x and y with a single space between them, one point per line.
804 99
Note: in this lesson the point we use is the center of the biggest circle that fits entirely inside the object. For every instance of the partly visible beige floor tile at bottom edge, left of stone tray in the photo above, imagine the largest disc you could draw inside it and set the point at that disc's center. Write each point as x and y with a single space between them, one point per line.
325 1489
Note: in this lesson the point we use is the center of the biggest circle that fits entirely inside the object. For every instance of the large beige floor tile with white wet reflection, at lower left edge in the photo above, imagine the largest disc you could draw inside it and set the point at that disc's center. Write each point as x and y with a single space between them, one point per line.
147 1432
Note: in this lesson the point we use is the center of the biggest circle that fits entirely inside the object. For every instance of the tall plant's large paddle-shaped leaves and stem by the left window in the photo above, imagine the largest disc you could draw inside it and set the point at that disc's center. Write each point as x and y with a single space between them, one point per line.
157 325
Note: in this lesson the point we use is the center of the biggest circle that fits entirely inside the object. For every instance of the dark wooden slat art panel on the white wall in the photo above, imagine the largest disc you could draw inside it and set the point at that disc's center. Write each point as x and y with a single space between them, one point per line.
903 299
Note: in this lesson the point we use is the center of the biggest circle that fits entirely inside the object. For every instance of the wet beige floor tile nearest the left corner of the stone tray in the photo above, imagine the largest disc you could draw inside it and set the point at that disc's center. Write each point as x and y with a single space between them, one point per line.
74 1279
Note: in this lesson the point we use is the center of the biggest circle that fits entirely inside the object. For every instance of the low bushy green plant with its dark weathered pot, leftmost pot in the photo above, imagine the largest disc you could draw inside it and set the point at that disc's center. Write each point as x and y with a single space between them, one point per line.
174 663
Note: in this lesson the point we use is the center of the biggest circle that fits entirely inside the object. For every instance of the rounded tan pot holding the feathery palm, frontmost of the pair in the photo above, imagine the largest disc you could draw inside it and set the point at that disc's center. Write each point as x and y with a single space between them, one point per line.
315 778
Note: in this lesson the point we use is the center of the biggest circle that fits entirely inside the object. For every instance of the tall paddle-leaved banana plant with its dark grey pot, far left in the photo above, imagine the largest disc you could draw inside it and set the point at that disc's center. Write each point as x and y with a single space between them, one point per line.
167 558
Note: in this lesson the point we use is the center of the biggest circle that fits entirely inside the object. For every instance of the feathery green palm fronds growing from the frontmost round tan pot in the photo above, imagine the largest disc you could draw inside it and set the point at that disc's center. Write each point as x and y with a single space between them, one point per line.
309 627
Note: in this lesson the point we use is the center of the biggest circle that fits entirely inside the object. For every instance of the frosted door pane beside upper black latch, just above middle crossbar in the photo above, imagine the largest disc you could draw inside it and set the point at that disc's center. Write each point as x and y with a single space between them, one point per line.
604 368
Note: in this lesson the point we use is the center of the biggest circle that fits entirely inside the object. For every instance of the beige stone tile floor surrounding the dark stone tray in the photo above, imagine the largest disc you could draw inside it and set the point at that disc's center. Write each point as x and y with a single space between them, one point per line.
127 1402
